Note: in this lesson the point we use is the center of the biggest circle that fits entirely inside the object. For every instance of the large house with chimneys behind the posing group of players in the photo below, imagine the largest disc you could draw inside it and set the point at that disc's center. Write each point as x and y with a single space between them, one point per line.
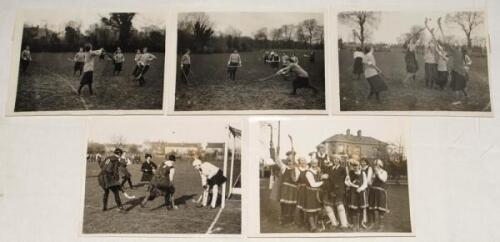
348 144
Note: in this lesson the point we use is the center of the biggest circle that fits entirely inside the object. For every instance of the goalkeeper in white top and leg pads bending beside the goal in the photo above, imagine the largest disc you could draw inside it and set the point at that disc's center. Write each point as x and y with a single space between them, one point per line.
211 179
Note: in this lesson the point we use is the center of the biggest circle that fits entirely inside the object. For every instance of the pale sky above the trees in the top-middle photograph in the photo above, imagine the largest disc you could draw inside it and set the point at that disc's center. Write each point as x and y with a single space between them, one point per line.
249 23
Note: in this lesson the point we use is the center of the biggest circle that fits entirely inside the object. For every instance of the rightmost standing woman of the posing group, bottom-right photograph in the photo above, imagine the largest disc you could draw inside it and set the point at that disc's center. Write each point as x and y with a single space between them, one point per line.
378 196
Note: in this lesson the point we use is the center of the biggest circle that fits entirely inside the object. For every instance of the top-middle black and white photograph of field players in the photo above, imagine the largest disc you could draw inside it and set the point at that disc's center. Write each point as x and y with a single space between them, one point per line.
241 61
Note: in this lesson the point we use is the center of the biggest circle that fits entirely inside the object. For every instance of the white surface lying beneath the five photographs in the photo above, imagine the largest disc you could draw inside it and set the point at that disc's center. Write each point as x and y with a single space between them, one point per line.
455 193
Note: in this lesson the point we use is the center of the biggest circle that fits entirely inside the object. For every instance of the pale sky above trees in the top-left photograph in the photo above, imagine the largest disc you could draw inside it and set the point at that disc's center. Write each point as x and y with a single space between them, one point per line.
57 20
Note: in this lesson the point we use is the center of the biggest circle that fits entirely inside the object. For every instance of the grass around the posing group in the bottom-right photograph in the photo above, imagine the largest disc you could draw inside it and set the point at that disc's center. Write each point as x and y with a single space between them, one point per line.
398 220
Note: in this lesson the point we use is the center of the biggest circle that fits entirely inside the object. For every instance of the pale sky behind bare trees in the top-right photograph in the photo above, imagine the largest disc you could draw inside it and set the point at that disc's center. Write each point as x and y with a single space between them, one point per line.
393 24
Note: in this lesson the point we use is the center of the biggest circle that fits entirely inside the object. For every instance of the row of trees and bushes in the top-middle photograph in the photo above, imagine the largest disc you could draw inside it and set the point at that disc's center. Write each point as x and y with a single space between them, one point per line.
196 32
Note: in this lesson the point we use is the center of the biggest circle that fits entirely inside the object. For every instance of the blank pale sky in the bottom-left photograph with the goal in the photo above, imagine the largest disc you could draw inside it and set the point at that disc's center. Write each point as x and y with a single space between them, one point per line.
138 129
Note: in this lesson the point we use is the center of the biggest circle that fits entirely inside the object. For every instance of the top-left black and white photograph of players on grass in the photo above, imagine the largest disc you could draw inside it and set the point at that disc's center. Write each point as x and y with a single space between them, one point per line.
79 61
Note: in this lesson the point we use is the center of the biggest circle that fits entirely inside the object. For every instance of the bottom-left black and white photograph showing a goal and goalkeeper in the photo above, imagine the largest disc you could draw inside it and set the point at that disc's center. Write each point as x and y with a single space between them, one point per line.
170 177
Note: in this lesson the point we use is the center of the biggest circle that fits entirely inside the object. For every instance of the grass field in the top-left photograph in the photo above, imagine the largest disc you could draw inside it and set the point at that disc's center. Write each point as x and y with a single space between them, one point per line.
49 85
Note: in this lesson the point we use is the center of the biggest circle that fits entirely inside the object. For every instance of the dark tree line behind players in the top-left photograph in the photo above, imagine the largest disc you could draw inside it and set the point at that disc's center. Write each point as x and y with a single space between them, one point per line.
115 30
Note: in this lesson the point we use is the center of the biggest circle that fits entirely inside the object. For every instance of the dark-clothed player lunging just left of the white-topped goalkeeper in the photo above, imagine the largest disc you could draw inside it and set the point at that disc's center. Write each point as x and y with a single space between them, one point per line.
162 183
